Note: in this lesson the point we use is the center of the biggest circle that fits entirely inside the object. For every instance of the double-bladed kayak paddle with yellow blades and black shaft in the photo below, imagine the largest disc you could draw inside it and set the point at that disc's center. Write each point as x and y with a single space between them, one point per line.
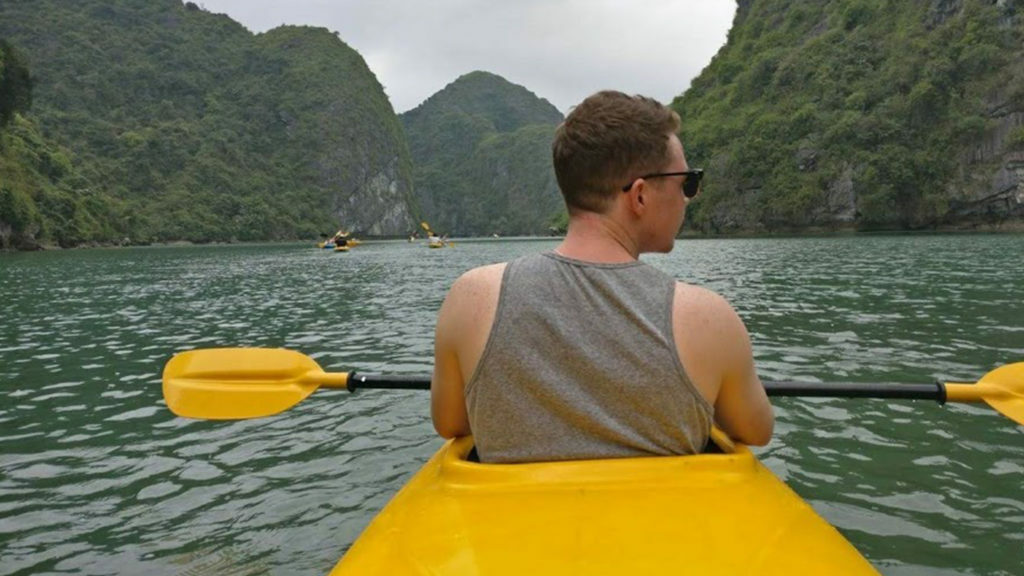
235 384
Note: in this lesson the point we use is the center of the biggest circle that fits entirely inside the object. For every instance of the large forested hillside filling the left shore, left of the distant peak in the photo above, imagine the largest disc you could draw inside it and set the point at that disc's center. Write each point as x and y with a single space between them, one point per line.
198 130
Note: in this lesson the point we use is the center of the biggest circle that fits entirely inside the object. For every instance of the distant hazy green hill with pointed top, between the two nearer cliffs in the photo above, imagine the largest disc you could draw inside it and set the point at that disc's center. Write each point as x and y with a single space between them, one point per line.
482 150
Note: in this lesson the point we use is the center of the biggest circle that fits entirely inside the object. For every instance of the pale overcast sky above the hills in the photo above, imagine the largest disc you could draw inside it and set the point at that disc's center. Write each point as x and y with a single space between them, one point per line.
562 51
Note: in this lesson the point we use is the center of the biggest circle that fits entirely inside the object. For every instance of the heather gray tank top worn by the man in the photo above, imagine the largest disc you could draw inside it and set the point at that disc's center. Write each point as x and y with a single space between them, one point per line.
581 363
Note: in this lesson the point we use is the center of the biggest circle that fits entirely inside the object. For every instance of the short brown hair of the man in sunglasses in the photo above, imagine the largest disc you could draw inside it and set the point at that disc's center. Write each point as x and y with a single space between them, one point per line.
607 140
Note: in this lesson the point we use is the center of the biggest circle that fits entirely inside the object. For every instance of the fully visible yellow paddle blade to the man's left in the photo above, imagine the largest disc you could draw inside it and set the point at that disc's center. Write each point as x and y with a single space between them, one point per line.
234 384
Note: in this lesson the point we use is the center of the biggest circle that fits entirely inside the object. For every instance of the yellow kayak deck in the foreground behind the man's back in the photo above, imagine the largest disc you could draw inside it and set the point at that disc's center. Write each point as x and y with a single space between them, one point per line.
708 515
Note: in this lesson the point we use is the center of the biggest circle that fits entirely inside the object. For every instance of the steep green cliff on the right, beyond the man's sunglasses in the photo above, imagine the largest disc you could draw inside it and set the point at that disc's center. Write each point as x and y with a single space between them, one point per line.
865 113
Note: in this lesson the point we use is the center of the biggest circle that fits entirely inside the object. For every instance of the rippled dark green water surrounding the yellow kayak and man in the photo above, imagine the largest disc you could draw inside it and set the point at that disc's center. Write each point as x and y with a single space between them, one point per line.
98 477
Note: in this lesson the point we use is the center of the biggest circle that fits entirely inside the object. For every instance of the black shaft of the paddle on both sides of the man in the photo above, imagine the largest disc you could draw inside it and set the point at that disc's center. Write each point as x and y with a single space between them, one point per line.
936 392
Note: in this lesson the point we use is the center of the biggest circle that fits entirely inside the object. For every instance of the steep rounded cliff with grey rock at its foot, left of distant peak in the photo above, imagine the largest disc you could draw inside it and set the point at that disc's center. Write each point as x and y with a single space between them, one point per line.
360 158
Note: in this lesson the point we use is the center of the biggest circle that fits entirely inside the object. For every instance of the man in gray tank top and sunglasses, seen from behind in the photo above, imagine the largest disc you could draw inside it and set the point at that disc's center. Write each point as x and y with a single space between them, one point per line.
585 352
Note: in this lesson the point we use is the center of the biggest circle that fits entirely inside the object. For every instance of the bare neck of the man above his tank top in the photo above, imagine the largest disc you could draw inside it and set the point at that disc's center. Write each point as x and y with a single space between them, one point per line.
598 238
